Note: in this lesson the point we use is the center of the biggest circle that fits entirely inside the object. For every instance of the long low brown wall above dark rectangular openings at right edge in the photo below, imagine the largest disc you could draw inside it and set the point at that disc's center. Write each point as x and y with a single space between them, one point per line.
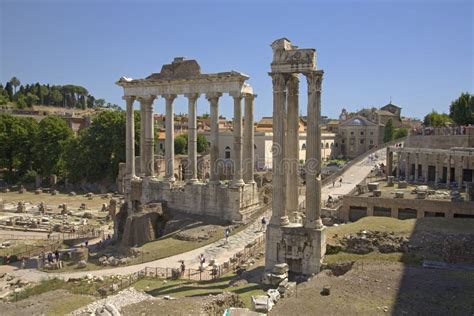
420 206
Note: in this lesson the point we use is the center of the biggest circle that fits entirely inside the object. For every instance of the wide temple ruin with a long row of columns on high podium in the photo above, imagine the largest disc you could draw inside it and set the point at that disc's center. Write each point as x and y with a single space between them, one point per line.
234 201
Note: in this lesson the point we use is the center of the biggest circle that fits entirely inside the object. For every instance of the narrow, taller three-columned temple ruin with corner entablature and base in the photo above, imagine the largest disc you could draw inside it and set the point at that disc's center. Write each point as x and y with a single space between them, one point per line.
292 238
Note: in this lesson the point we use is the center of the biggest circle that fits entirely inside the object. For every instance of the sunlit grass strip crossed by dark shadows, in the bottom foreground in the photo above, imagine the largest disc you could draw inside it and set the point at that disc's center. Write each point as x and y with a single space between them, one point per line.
183 288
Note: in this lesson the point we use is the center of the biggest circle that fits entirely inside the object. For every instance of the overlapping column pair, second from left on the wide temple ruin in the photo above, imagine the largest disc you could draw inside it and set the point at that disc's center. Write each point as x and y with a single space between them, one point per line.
148 135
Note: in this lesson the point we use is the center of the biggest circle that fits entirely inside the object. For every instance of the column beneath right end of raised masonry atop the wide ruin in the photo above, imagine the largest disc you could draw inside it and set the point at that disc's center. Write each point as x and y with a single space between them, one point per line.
192 137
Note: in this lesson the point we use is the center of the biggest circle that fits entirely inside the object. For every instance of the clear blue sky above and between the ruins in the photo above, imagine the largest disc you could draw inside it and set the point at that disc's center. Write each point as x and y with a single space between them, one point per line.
419 53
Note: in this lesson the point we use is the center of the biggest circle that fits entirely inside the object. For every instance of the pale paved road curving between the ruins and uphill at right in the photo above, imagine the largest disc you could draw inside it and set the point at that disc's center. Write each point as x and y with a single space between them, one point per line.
218 250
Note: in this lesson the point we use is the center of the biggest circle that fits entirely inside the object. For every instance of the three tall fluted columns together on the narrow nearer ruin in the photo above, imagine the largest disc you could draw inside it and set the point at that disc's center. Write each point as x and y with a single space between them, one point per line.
285 148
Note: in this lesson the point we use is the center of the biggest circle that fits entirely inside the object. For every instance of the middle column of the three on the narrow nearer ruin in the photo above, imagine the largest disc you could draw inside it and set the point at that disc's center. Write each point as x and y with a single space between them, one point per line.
292 145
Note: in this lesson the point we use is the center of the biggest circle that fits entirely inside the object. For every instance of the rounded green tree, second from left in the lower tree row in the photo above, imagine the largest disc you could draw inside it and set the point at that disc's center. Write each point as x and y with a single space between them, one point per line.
53 134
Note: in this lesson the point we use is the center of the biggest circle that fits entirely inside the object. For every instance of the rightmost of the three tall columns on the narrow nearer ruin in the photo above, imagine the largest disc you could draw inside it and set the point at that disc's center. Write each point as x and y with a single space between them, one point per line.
313 151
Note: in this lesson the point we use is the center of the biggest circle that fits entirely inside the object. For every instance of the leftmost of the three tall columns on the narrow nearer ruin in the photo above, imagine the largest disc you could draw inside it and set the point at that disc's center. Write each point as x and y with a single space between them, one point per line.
279 178
